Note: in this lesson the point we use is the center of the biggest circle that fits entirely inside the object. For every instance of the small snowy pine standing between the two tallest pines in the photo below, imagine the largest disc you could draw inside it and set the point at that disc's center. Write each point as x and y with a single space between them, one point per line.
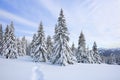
49 45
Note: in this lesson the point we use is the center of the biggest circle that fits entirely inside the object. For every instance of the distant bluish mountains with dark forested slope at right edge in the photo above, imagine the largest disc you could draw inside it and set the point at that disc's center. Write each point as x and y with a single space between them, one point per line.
110 56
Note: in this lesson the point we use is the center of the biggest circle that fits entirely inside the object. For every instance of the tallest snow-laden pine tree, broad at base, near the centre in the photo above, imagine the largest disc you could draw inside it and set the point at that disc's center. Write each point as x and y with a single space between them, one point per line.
62 53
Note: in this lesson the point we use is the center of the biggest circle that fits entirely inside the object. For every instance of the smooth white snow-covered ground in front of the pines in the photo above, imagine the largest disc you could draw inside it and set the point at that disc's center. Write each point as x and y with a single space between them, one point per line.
23 69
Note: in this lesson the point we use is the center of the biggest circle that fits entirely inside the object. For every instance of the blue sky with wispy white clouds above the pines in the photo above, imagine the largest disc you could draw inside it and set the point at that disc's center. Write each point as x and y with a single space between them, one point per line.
98 19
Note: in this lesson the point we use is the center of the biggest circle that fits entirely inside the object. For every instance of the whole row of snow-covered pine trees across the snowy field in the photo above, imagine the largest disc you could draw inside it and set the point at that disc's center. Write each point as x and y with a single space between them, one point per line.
56 51
